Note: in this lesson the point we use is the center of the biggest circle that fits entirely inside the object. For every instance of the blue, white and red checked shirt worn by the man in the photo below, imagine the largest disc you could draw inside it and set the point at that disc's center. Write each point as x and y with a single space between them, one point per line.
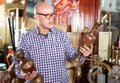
48 53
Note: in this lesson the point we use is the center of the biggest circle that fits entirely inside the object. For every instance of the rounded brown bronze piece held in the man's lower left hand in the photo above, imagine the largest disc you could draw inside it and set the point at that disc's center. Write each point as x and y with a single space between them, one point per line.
27 65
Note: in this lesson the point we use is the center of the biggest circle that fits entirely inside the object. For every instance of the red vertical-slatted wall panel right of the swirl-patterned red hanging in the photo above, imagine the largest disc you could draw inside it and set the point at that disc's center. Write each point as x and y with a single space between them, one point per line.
88 12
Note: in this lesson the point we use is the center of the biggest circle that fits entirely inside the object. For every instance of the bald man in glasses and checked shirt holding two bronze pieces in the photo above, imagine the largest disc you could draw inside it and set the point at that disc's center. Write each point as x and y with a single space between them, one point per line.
48 46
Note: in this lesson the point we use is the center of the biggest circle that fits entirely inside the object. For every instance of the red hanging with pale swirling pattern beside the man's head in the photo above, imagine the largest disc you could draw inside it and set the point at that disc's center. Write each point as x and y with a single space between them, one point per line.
64 10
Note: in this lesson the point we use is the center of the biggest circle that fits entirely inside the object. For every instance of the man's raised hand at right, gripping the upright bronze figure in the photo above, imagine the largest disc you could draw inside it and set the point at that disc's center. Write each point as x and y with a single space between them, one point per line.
86 50
